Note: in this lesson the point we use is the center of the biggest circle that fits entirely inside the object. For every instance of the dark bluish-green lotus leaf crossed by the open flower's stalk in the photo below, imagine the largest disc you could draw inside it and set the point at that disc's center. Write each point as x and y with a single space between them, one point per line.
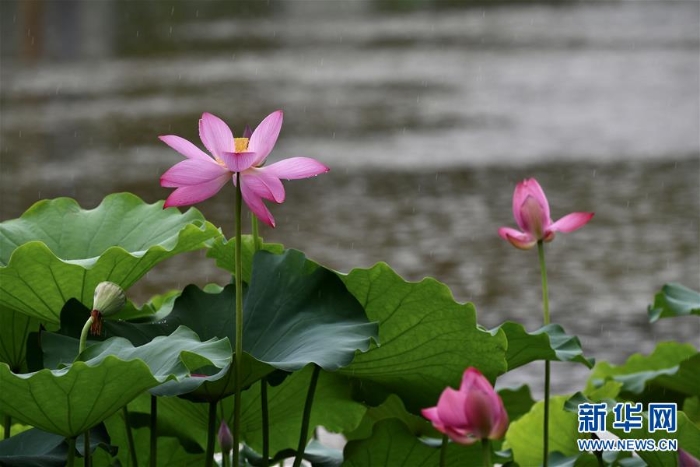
295 313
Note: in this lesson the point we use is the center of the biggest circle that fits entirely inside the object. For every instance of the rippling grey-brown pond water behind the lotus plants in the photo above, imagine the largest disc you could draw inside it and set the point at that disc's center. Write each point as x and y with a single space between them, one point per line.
428 114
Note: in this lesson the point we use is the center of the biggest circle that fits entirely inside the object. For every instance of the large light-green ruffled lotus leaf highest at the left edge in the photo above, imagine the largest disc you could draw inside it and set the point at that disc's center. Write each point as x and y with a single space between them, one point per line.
57 250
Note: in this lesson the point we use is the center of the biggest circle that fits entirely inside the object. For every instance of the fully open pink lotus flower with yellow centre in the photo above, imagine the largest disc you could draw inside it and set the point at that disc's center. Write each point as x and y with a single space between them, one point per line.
200 176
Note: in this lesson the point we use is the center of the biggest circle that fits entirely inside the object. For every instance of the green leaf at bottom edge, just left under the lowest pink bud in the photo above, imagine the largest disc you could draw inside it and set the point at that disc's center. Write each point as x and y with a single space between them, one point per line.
392 443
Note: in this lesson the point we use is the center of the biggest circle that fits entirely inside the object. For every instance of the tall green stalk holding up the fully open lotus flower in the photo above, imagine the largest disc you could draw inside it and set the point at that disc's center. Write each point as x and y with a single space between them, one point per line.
239 325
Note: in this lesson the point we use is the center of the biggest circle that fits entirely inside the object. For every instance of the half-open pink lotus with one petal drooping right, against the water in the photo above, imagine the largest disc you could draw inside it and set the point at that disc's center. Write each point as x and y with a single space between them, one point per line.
531 211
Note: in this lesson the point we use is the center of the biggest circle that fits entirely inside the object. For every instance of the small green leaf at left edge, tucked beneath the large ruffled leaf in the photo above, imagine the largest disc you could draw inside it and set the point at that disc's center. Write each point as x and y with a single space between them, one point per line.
14 331
